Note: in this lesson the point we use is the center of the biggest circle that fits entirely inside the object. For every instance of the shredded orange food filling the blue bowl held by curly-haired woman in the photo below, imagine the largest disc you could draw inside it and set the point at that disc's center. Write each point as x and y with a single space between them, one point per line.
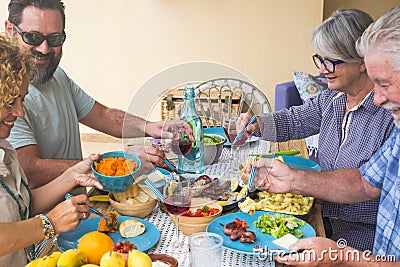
115 166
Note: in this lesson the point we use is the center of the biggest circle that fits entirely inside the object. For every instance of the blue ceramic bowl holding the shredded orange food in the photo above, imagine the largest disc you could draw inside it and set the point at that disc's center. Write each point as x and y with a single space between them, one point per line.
117 184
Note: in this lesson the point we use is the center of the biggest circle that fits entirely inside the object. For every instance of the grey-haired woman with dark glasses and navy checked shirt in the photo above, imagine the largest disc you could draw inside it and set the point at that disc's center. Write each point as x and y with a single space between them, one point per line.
351 127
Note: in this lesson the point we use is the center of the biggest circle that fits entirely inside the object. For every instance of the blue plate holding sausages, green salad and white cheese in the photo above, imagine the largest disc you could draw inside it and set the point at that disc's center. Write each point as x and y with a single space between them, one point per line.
262 240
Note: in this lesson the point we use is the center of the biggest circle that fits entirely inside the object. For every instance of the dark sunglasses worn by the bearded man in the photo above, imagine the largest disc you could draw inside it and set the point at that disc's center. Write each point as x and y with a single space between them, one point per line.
36 39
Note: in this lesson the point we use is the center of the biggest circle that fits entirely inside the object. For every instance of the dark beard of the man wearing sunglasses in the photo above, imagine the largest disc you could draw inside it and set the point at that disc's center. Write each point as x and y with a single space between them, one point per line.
42 73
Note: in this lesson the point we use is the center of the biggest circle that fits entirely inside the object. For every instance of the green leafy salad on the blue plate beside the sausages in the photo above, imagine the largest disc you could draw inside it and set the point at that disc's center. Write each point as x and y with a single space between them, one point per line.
279 225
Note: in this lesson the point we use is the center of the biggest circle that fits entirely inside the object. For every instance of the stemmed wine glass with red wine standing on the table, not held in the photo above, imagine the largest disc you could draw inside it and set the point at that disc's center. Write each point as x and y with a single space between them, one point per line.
177 201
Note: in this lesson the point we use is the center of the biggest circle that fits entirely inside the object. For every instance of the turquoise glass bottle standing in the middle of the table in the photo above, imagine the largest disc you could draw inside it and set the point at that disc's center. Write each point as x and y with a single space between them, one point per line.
193 162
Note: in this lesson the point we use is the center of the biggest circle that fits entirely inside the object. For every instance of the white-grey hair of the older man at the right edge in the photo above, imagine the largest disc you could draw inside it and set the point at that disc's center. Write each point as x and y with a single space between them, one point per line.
383 35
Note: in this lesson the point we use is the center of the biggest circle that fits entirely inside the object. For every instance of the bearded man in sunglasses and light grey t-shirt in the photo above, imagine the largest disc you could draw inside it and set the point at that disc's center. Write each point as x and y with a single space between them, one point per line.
47 138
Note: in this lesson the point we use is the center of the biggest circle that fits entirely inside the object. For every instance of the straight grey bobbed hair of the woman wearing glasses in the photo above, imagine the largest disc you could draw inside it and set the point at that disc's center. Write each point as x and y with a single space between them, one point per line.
336 37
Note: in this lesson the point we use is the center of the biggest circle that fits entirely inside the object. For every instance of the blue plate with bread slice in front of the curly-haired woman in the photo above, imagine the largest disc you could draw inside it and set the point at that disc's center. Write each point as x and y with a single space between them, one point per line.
143 242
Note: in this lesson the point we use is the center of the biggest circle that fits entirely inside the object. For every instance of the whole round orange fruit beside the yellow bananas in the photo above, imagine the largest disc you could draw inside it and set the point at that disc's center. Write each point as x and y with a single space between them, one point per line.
94 245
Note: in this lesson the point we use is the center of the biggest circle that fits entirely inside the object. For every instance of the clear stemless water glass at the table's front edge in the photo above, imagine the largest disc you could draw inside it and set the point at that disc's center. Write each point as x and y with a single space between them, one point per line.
205 250
